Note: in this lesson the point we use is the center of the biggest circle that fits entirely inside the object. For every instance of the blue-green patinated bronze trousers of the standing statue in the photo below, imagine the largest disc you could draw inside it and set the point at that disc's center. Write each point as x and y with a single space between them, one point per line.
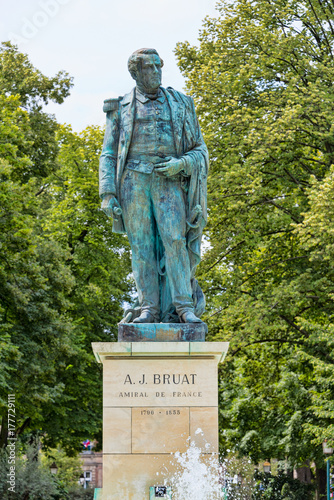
150 201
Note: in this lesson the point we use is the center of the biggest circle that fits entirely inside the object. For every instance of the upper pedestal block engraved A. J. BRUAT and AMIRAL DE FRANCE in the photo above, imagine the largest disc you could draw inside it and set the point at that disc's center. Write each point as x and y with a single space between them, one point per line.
154 382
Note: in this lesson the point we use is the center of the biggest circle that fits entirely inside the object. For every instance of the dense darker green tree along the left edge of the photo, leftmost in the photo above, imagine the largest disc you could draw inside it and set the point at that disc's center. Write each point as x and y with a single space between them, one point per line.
33 287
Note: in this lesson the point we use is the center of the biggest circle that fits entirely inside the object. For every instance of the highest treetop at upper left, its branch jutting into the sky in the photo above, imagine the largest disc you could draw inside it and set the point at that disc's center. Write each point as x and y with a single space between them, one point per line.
20 81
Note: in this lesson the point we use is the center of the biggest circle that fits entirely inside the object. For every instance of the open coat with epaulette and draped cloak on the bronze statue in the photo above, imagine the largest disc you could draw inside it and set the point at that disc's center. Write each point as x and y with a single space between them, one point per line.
190 147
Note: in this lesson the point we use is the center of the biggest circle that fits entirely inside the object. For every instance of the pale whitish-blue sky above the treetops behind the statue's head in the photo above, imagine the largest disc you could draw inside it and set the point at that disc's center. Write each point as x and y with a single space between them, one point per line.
93 39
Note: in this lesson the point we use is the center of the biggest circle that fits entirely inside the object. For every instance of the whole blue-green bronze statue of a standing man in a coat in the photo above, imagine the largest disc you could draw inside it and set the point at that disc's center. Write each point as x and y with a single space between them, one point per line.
153 172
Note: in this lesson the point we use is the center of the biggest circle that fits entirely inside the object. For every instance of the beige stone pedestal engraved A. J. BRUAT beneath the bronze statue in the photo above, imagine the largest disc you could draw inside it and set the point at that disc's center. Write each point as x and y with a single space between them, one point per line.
156 395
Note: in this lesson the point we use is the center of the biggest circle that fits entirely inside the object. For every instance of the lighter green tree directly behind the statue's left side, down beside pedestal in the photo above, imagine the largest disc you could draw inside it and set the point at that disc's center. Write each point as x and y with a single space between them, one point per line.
99 262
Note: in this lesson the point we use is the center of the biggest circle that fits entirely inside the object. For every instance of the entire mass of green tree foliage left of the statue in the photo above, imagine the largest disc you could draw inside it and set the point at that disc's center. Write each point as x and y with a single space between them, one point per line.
63 274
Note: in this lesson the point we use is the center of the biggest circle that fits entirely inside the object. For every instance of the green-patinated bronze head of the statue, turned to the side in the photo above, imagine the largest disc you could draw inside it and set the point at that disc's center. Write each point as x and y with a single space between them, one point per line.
145 67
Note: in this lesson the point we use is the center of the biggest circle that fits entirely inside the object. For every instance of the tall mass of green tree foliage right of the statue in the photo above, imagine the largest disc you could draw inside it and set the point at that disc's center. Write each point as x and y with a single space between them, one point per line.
262 80
